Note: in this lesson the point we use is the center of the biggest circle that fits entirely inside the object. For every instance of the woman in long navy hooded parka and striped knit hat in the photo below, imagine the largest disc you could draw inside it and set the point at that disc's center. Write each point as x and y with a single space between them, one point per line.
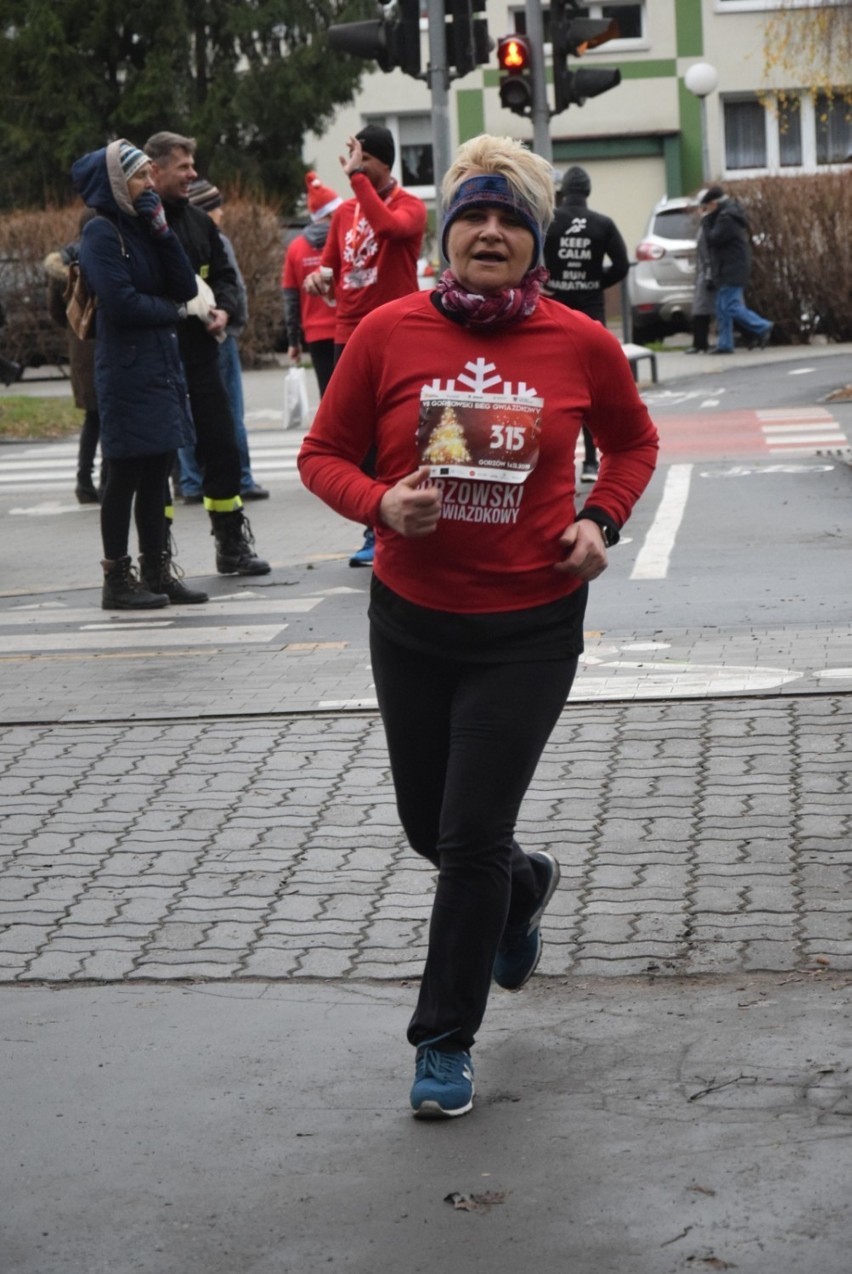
143 282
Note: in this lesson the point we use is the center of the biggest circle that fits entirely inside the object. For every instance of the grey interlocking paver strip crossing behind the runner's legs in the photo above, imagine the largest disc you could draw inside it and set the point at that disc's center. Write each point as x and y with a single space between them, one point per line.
695 836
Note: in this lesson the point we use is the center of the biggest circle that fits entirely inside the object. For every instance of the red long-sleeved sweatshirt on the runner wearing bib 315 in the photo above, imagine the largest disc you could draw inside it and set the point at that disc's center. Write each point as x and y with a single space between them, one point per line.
497 415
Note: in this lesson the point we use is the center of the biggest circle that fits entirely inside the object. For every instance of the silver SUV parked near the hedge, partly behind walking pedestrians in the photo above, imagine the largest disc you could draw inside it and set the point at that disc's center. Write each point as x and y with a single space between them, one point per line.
662 280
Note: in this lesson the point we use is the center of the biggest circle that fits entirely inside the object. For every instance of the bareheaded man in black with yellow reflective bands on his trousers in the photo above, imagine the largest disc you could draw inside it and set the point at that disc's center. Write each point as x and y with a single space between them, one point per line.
174 171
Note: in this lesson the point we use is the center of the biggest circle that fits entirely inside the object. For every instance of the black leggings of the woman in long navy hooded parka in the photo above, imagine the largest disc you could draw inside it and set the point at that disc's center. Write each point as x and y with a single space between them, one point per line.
143 477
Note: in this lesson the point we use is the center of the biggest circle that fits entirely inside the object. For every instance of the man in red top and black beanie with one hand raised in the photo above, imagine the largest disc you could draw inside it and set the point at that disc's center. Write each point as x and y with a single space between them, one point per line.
371 255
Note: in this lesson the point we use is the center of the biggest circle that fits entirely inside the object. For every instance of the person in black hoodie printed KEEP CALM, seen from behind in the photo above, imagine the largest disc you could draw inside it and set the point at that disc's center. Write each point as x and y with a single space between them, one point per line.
576 247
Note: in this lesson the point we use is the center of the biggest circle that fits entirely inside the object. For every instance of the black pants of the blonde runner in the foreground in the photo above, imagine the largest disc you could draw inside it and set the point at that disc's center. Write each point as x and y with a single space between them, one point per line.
464 741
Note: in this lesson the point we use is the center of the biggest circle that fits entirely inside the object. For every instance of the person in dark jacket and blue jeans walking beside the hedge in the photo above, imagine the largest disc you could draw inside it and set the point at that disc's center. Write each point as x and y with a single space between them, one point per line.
730 249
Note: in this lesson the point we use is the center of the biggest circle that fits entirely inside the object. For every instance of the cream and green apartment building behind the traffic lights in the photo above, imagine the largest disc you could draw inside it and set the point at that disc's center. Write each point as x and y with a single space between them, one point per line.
640 141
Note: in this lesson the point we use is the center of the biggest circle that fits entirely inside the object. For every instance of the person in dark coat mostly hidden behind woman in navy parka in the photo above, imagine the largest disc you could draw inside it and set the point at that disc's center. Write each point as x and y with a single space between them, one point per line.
81 359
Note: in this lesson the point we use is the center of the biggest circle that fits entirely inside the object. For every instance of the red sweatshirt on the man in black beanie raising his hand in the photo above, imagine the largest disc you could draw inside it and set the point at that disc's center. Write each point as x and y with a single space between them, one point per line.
373 248
